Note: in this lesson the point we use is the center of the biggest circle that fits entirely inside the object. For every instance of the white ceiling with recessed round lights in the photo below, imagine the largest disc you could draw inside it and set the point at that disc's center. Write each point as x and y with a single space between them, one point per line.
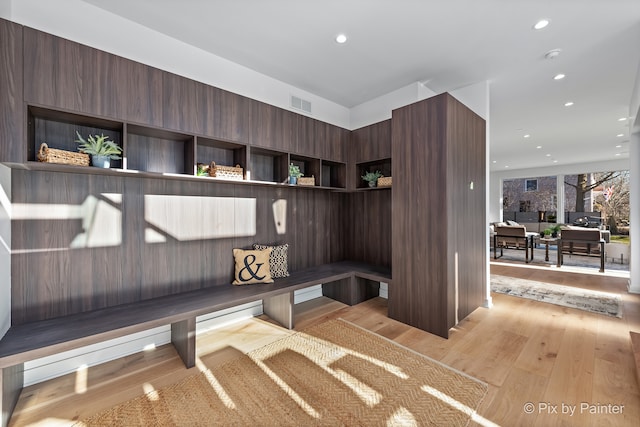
445 44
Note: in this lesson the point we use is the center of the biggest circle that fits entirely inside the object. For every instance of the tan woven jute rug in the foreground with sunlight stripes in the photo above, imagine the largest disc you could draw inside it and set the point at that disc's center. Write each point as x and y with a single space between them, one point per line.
332 374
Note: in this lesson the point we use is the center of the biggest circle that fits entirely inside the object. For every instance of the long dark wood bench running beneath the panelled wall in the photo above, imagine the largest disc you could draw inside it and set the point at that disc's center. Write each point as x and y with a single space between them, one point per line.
345 281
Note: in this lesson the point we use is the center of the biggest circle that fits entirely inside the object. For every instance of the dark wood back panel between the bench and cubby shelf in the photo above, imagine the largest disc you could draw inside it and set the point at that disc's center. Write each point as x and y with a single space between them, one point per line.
55 273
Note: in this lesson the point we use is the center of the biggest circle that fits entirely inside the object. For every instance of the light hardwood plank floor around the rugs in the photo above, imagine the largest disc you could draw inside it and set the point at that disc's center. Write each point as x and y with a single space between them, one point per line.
526 351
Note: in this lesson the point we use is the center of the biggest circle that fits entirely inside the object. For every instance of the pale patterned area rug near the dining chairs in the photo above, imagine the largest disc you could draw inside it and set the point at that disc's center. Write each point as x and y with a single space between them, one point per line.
606 303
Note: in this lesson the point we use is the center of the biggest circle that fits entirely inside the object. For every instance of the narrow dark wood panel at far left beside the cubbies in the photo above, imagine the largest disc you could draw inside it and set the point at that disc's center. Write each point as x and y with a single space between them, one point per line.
12 148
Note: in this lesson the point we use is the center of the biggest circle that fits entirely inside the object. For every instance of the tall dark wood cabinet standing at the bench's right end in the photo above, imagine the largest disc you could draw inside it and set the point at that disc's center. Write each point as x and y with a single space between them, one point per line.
438 199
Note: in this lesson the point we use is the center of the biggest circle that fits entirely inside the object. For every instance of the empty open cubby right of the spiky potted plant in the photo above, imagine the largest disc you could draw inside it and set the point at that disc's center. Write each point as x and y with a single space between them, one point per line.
158 150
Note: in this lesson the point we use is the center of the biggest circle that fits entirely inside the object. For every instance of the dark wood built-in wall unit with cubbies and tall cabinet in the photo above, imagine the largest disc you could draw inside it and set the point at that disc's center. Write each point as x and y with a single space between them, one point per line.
166 125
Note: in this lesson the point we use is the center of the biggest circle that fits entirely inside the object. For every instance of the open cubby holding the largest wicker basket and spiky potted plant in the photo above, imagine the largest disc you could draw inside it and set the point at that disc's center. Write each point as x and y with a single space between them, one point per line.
58 130
